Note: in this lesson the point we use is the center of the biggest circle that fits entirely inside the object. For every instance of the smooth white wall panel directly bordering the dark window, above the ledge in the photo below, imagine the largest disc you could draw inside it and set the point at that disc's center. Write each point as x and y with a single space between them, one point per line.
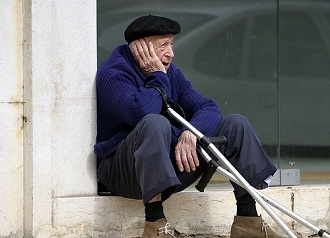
74 105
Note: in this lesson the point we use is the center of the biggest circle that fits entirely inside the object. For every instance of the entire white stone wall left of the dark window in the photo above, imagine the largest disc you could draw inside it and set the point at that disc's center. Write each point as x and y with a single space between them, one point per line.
50 48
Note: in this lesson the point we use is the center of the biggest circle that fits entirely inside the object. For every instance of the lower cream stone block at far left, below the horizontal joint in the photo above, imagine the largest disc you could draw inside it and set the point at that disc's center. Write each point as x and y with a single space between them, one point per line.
11 169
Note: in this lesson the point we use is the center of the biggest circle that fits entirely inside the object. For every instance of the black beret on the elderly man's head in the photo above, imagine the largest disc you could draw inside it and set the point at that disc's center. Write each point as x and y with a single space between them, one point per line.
150 25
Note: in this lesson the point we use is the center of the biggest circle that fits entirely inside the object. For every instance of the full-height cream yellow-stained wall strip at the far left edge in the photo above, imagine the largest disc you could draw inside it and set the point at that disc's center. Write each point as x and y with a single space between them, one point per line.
11 111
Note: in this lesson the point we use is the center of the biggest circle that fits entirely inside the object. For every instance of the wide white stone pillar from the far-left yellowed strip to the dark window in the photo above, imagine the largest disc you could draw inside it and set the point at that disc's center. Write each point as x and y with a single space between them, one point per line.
59 106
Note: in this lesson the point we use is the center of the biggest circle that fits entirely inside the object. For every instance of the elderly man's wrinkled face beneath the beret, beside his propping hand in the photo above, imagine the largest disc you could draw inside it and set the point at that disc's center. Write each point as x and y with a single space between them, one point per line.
163 46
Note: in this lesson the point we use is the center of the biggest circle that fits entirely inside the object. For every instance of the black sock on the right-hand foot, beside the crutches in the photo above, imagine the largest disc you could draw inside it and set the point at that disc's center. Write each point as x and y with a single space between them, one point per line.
246 206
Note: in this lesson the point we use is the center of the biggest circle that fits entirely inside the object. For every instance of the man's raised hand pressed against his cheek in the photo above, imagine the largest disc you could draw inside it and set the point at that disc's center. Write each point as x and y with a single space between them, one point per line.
146 57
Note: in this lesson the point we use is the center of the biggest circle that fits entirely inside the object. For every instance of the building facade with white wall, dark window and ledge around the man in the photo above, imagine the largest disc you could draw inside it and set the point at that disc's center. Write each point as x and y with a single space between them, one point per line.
49 54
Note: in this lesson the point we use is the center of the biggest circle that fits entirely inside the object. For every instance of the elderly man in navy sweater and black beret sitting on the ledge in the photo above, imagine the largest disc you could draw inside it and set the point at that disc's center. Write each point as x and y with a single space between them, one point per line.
142 154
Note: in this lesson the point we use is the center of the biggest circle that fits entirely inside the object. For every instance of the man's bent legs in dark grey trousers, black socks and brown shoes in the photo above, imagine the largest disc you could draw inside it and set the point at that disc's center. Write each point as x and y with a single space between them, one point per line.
142 168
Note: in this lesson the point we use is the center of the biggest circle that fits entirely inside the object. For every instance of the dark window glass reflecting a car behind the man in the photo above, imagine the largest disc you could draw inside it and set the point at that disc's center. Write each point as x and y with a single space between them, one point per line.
272 67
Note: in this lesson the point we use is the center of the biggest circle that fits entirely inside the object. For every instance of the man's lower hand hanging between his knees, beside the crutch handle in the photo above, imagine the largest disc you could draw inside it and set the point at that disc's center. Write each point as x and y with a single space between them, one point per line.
185 152
